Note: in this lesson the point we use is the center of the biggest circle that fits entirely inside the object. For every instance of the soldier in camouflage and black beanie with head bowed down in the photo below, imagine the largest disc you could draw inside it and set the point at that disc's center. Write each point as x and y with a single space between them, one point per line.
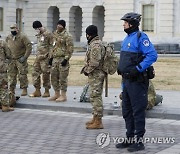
40 66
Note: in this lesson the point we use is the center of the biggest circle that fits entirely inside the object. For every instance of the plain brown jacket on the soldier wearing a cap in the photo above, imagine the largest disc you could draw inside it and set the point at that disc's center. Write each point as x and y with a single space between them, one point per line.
19 45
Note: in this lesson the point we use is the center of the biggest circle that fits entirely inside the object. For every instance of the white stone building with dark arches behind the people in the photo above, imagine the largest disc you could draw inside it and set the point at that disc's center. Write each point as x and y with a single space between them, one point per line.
160 18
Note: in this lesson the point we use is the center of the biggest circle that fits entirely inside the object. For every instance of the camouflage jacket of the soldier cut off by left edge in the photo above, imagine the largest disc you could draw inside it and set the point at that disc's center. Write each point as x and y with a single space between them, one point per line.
5 54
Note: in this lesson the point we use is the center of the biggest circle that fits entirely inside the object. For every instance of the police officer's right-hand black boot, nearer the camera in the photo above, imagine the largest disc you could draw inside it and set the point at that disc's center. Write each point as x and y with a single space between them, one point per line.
137 146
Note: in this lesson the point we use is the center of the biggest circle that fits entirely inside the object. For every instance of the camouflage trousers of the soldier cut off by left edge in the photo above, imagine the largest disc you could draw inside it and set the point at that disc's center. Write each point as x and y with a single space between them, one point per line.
4 96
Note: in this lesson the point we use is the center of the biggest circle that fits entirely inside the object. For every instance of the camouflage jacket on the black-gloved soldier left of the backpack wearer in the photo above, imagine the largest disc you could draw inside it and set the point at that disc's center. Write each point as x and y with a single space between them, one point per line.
62 45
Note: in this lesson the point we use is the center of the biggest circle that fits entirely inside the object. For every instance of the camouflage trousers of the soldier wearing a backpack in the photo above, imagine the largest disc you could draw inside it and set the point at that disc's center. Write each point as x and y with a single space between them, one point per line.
96 80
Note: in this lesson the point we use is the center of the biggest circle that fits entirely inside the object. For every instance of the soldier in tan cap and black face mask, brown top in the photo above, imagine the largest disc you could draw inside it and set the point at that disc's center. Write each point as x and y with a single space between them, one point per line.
21 48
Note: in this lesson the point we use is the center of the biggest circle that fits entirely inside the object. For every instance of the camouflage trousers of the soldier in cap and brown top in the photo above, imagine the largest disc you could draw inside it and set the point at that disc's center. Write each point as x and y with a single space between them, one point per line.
14 68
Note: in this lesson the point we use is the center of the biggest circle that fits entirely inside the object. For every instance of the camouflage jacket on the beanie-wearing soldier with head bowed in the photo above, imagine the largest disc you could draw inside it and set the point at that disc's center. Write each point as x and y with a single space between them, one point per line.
44 44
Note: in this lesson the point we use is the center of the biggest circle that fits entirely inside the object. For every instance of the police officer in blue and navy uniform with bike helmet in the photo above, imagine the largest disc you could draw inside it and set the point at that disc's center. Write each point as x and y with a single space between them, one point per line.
135 84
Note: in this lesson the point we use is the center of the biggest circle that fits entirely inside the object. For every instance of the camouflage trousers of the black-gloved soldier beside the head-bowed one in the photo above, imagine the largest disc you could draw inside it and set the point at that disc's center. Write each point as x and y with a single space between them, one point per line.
59 74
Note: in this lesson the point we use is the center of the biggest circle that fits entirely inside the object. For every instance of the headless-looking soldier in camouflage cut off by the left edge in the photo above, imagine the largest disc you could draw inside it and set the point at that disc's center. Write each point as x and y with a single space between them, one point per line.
5 56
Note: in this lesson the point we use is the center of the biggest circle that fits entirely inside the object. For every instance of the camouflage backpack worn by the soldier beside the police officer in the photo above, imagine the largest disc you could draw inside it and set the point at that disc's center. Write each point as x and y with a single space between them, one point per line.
110 61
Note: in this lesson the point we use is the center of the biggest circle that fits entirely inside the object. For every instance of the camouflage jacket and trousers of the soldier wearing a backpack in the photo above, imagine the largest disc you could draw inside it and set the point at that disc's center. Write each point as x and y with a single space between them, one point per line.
93 67
